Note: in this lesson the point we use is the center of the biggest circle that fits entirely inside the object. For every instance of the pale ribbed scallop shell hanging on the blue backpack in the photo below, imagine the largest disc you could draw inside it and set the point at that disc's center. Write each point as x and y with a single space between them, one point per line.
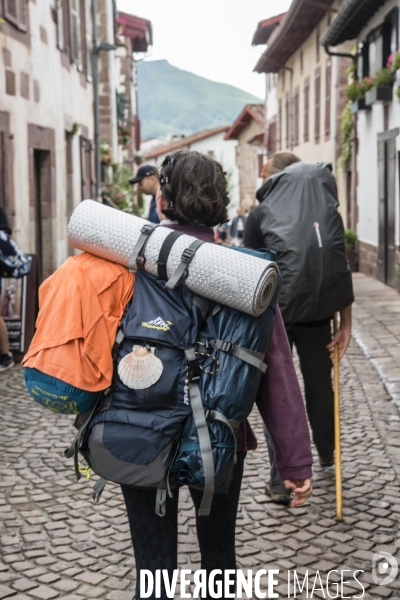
140 369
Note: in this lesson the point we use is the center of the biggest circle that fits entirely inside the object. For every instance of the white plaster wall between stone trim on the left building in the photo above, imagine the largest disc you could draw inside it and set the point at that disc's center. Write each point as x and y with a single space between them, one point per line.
63 101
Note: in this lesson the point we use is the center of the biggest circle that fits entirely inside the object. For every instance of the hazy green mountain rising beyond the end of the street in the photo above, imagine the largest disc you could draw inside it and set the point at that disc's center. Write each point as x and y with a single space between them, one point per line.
174 102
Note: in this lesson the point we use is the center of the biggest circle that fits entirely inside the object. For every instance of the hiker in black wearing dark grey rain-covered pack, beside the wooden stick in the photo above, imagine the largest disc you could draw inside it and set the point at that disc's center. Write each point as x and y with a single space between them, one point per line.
298 217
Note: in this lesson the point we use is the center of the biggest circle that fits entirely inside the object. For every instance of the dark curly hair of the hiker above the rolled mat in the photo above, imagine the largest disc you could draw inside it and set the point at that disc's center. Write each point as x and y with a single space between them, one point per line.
195 189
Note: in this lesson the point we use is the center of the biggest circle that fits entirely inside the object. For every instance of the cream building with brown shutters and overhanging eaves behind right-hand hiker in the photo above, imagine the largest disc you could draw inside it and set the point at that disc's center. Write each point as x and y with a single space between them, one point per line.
308 87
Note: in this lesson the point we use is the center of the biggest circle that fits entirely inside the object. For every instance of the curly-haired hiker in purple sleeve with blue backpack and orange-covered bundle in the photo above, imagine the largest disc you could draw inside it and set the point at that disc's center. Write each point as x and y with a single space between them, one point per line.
166 355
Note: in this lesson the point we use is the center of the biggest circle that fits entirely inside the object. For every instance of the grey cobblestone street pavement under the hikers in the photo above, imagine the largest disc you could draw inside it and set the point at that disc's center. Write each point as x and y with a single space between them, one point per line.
55 543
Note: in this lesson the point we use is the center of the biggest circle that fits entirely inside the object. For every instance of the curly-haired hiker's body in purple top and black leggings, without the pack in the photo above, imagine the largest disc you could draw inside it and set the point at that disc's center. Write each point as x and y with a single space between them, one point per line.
192 199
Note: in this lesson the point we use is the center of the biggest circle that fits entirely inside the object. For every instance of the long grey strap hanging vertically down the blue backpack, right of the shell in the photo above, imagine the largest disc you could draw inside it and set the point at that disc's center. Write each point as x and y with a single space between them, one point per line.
202 431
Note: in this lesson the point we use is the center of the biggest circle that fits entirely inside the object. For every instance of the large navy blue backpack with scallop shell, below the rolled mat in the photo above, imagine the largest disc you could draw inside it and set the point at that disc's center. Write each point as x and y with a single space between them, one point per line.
182 429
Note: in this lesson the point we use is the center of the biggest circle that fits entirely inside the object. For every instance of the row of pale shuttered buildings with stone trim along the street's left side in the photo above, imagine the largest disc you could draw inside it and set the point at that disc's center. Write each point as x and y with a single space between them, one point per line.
47 116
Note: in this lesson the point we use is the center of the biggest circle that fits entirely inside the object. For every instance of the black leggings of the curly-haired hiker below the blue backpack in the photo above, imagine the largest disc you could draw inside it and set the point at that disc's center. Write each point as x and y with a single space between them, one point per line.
155 539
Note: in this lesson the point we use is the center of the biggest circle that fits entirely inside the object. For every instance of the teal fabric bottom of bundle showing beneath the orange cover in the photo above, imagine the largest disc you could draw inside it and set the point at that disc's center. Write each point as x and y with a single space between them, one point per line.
56 395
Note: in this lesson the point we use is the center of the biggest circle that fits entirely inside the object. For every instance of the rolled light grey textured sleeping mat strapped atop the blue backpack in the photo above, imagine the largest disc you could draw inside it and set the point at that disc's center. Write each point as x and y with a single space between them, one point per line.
235 279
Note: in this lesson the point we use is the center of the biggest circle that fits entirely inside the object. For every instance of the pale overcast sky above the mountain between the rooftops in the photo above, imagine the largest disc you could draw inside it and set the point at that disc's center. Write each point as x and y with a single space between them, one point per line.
211 38
